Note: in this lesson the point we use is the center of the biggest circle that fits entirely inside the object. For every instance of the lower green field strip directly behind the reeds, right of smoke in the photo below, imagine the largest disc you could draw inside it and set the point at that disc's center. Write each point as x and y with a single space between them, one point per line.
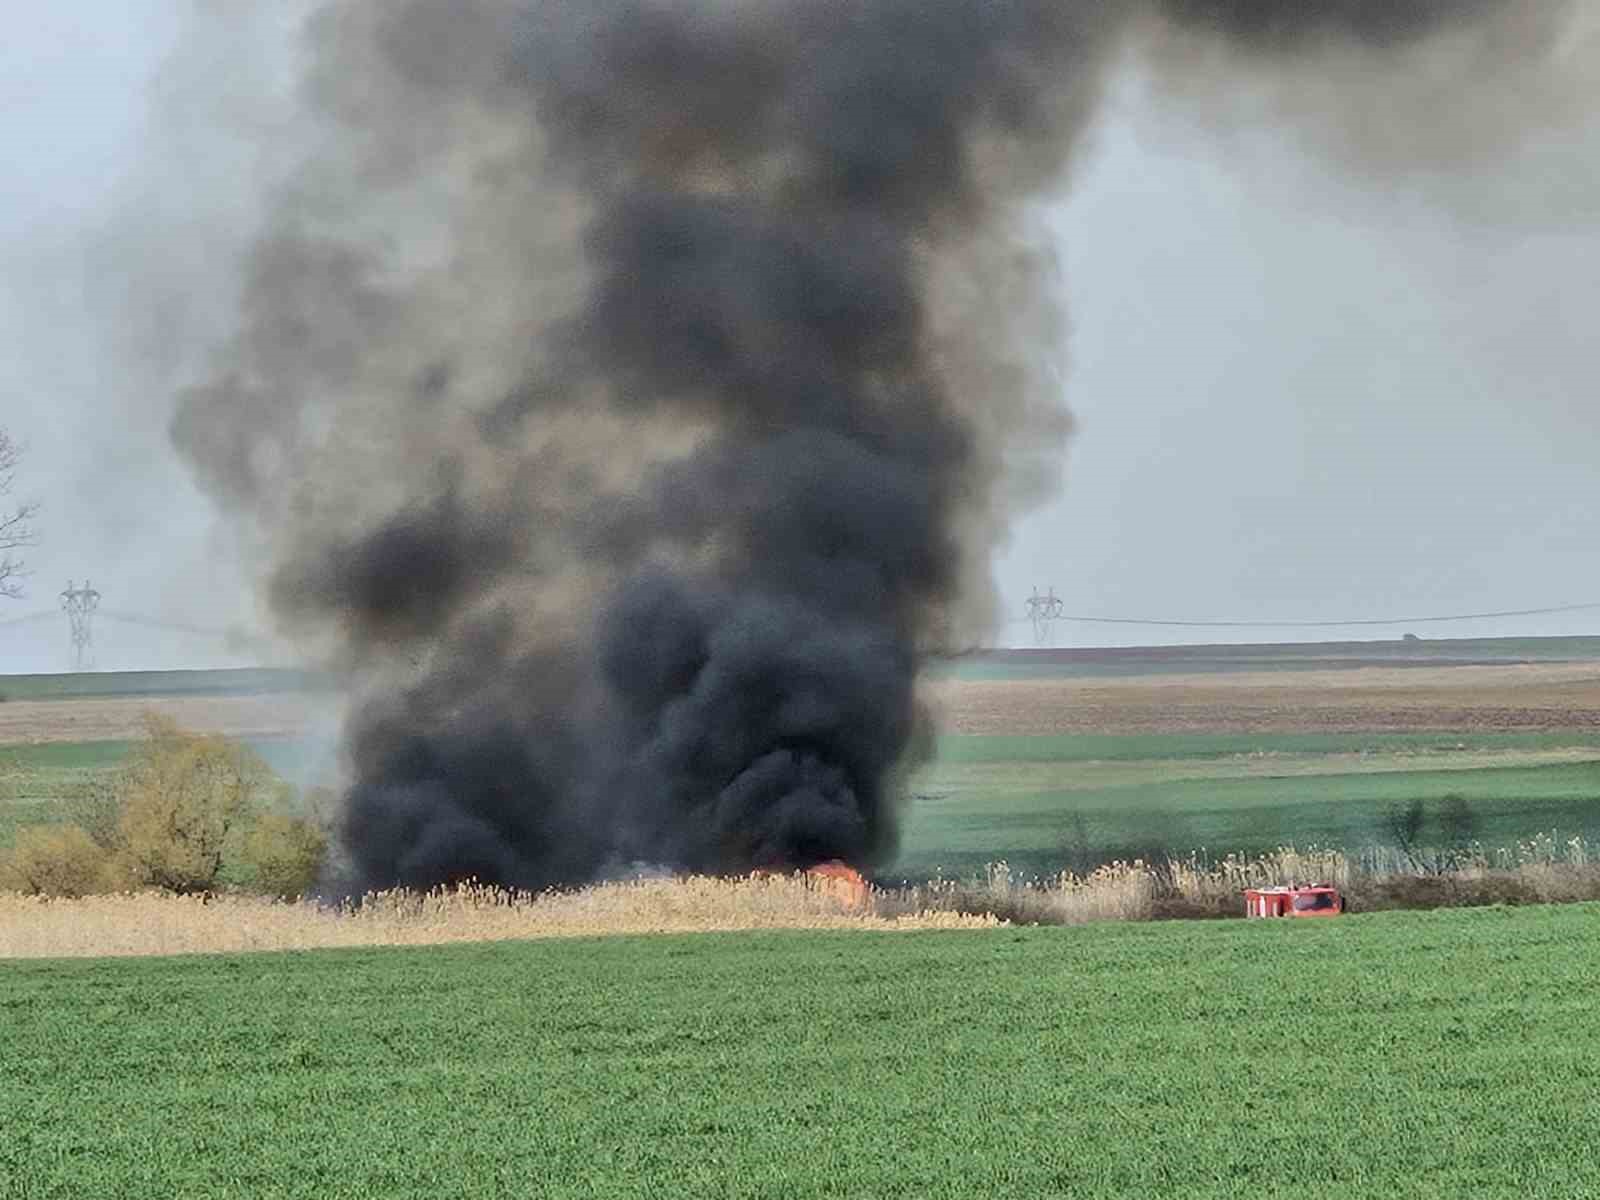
1042 817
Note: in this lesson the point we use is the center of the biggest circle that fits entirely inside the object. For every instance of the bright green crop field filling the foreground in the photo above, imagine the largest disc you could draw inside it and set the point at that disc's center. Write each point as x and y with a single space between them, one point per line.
1422 1055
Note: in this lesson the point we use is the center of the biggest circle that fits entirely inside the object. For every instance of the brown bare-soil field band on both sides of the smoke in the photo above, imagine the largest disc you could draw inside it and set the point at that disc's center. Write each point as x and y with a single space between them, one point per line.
1487 698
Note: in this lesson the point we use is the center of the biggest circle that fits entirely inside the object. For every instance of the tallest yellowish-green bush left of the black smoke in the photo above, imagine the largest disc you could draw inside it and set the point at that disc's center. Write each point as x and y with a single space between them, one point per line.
185 802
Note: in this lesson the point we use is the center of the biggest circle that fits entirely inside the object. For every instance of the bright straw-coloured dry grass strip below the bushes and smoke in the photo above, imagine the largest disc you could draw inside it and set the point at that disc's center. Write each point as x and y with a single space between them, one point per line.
154 924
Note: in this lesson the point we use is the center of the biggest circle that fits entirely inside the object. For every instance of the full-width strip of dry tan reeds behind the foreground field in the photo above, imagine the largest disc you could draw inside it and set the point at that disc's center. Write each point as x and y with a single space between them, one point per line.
1542 871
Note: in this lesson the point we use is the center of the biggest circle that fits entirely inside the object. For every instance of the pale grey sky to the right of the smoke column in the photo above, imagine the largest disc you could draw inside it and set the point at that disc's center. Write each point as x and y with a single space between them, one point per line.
1314 396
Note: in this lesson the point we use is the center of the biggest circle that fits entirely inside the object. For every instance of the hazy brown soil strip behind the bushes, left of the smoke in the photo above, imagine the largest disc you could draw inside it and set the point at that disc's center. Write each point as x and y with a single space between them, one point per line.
92 721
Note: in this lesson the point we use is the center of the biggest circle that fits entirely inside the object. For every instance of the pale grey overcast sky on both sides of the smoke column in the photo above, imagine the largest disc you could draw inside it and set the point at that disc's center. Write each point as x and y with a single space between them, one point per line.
1303 393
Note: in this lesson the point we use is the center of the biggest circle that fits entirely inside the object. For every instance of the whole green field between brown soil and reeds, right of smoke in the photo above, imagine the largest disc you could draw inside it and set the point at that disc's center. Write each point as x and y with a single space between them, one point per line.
1073 801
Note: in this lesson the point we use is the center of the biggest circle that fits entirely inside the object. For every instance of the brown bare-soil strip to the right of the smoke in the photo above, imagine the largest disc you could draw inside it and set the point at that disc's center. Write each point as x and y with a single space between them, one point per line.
1370 700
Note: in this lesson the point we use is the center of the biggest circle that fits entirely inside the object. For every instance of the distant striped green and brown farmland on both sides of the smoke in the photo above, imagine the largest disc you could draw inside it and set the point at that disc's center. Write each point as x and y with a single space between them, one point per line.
1055 759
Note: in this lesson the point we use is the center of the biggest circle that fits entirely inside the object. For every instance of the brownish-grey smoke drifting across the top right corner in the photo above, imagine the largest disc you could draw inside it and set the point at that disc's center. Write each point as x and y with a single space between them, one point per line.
1396 90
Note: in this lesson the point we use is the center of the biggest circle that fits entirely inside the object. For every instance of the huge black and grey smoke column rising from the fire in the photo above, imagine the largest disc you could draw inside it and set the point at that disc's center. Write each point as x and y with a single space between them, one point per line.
631 393
